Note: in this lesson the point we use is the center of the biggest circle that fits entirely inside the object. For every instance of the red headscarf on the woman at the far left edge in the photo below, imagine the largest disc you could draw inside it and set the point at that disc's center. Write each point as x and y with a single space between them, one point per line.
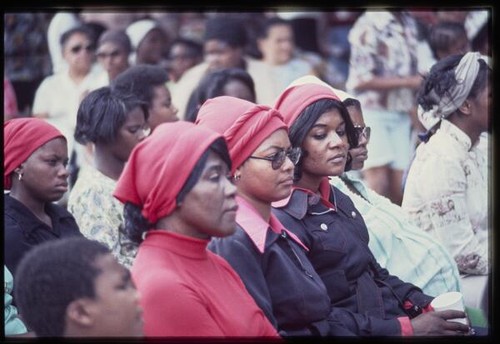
23 136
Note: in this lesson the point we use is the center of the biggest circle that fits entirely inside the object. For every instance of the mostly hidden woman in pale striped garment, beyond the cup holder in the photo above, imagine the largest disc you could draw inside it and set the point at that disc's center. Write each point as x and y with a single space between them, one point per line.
392 235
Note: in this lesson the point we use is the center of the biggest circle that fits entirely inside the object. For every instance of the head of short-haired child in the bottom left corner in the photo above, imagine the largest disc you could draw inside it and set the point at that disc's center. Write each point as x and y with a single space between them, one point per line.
74 287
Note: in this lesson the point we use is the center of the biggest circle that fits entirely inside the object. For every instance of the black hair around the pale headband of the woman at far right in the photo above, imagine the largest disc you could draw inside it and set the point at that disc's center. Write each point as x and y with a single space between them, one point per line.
441 79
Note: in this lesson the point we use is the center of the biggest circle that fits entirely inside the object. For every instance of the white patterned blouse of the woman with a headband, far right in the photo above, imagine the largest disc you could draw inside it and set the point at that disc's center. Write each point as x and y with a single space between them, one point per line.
446 194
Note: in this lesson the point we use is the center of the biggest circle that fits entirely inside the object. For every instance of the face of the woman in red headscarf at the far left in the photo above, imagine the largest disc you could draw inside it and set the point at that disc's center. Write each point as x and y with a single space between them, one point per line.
45 173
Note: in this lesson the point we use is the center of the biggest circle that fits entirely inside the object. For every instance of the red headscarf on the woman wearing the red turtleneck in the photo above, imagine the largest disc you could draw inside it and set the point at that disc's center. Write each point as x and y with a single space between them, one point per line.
160 165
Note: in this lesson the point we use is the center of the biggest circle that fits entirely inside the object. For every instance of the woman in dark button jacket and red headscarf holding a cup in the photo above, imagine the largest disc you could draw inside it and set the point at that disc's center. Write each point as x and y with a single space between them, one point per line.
369 300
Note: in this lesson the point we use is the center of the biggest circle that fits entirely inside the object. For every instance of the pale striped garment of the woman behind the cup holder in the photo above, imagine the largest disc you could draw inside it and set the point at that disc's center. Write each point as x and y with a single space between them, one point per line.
399 246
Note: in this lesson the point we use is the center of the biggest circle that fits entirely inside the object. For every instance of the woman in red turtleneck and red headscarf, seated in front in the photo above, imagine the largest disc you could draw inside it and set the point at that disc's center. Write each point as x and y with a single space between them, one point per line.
174 203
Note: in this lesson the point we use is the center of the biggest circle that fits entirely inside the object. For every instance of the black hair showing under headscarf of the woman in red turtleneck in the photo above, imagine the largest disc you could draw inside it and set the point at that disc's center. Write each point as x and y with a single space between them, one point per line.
135 224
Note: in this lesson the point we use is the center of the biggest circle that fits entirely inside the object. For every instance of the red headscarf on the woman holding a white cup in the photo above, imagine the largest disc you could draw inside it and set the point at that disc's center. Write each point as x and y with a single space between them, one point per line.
295 99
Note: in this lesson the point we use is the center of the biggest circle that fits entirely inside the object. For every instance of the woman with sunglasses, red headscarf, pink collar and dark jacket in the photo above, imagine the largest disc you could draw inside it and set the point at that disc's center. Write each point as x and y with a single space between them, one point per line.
270 260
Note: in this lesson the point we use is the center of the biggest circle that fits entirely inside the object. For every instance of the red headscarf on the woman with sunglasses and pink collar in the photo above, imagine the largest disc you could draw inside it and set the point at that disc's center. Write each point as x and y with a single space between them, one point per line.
244 124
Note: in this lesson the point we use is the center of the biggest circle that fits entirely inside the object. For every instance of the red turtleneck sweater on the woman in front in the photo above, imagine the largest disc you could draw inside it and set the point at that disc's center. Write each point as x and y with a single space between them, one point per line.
187 290
